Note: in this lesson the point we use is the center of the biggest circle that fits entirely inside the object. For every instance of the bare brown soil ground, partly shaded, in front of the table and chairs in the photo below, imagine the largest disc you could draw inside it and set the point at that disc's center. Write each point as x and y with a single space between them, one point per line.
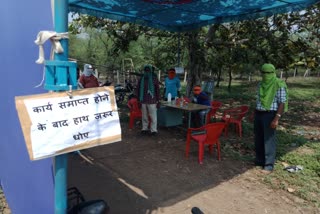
146 174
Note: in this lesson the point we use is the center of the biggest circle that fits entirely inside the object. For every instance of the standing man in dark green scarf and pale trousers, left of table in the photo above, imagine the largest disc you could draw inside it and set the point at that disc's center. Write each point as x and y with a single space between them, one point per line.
149 96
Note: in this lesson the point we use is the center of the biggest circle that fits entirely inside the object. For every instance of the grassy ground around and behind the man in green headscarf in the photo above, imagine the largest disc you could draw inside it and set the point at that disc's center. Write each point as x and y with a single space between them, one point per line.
292 149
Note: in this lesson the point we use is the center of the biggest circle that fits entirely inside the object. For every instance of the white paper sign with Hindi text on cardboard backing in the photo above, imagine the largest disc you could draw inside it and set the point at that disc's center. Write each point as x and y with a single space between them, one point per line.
54 123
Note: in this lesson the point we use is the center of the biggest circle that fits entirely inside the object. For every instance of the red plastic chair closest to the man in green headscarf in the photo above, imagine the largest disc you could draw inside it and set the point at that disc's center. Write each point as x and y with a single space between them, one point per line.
235 116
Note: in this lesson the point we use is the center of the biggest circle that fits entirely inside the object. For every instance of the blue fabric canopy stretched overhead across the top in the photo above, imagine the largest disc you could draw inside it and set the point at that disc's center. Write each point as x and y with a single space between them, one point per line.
184 15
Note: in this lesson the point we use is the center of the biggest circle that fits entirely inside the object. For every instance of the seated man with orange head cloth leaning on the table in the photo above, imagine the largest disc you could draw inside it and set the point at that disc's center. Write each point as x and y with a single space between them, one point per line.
200 97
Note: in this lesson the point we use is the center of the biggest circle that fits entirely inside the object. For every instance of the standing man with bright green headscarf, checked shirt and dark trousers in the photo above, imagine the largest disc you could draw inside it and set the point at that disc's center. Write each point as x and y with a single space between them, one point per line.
272 101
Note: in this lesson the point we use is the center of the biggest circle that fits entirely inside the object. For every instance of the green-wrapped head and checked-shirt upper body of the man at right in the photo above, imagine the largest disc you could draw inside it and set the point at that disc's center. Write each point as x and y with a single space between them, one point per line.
270 85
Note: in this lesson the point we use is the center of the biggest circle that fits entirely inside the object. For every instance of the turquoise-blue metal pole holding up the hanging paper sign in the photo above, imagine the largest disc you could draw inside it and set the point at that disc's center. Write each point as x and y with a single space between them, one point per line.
61 161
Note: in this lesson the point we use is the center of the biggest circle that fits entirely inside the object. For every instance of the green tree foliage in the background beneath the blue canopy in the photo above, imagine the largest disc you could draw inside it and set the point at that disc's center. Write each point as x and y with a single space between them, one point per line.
218 51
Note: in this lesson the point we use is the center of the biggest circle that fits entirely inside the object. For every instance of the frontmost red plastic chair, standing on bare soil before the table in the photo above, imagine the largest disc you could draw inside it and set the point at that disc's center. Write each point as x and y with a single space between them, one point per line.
206 135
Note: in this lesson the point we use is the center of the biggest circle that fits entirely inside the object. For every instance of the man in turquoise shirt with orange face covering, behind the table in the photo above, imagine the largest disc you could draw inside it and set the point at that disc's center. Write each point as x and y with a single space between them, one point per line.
172 84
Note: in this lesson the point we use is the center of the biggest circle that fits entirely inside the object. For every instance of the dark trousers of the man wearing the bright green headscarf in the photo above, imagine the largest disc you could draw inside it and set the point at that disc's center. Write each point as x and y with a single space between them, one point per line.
264 138
